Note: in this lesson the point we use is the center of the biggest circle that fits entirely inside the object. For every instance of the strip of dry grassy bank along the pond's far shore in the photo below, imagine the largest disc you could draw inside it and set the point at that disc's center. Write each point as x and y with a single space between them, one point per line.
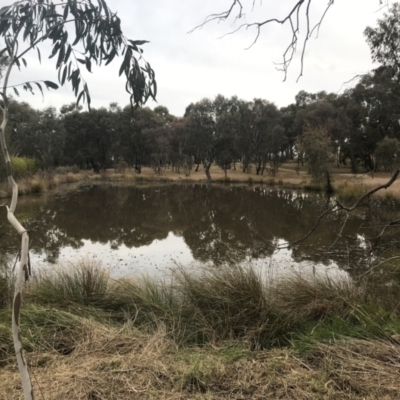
347 185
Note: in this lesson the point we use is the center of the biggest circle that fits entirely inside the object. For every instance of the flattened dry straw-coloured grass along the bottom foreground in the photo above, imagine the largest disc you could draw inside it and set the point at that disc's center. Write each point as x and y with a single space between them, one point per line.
109 363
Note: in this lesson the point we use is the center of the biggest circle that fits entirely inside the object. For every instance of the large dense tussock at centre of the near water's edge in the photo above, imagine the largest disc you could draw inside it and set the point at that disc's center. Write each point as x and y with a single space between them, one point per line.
229 303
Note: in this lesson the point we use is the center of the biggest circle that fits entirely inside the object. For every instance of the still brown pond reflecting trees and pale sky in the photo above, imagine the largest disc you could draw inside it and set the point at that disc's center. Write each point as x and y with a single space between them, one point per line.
154 229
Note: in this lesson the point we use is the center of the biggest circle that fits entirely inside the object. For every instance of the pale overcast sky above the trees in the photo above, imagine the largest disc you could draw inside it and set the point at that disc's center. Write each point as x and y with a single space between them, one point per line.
201 64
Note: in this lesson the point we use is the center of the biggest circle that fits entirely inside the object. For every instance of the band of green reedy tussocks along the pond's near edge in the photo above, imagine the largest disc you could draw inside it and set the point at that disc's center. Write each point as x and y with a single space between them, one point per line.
224 303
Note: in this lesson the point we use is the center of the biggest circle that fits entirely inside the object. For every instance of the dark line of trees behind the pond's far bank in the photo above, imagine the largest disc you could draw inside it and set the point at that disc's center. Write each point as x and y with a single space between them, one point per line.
359 128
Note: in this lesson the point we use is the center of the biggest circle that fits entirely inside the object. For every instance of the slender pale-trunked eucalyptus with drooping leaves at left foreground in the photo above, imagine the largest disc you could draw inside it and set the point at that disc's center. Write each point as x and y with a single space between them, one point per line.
95 36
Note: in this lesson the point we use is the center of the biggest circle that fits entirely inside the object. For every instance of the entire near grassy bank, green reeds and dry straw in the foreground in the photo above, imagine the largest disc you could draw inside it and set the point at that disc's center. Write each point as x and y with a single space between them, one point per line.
220 333
